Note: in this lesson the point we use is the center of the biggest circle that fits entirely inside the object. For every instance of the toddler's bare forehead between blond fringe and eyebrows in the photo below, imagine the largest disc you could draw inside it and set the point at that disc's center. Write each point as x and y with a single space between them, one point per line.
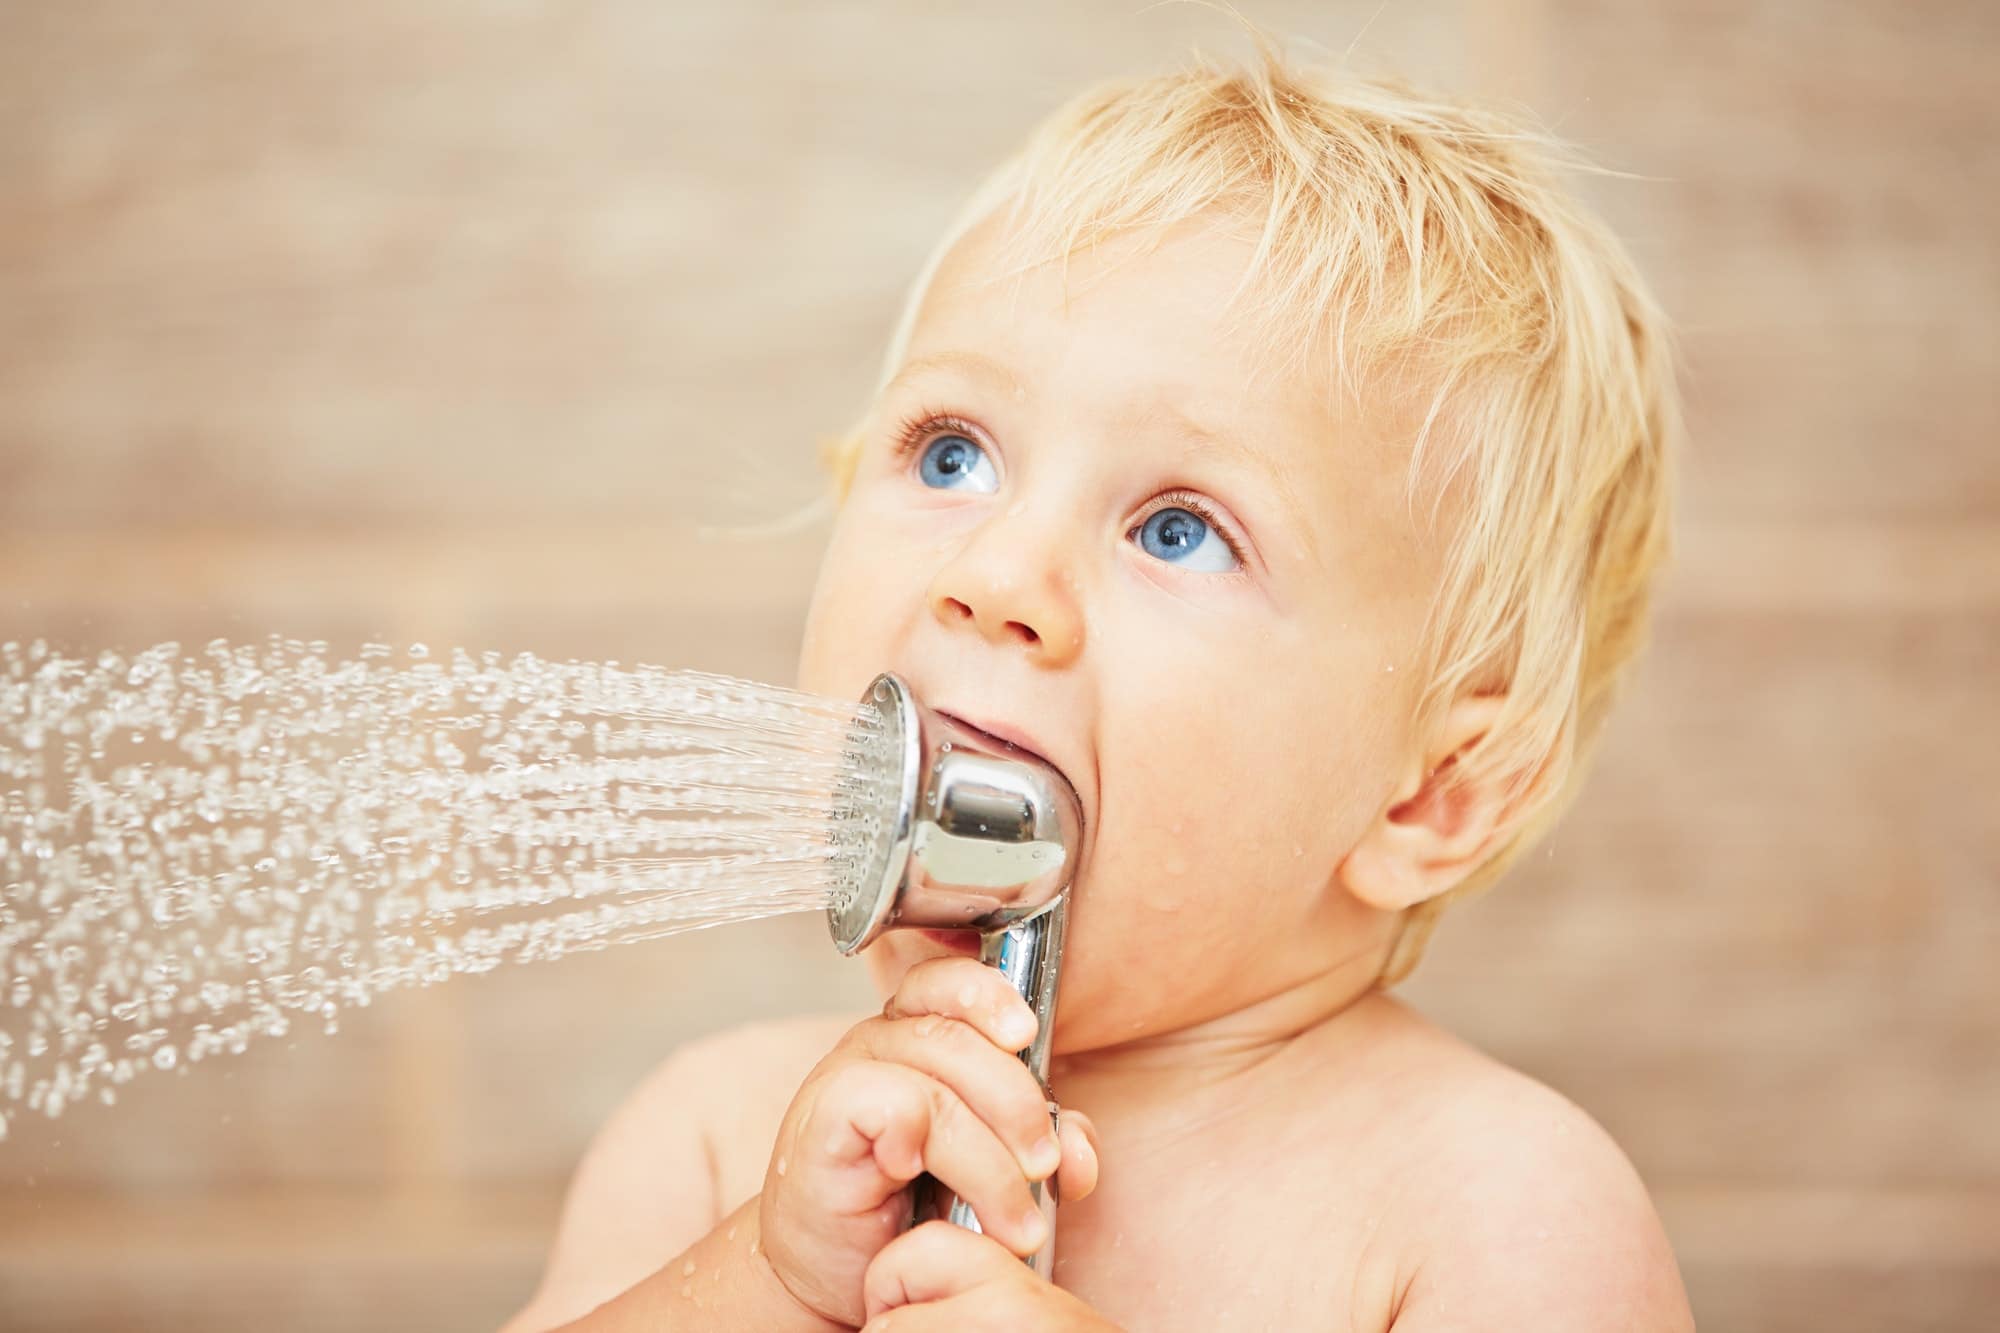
1175 333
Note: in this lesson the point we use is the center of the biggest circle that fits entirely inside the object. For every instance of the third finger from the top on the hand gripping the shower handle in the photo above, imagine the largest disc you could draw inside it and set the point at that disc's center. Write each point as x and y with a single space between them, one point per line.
915 1124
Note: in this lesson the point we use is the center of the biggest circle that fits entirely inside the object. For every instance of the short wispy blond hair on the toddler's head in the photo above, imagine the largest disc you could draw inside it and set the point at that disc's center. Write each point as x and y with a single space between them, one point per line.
1431 241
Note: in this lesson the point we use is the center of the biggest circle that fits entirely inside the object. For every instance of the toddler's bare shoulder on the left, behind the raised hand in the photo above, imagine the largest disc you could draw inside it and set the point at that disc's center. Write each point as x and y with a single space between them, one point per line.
675 1158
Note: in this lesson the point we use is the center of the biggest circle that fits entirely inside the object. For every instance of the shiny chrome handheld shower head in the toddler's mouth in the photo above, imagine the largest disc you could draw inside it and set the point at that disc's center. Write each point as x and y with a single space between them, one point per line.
951 830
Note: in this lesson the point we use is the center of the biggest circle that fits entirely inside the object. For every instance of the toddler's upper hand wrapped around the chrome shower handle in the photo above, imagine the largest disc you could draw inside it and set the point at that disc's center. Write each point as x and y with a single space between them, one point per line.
931 1086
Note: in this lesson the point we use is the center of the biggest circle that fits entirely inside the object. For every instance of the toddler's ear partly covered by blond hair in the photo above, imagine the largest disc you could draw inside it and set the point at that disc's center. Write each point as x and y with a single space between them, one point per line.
1429 840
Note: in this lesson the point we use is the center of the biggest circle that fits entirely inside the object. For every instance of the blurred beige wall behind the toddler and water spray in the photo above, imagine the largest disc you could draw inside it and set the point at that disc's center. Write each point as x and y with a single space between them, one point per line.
451 321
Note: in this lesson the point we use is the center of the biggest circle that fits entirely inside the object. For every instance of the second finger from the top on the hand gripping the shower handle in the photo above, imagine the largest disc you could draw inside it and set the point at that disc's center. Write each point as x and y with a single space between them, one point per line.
991 1082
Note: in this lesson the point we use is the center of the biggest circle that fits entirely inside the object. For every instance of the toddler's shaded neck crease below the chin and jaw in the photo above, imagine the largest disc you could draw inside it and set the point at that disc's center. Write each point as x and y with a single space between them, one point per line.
1177 1068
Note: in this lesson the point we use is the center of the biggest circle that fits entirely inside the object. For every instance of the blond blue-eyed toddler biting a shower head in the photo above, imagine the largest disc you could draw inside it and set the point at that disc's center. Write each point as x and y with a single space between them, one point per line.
1287 459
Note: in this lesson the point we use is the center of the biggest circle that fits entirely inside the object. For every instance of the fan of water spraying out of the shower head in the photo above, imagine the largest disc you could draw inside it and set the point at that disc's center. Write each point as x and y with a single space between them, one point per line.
315 838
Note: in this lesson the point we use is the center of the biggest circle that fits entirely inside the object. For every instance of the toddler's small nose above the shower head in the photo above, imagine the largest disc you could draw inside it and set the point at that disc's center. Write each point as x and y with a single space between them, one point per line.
1013 585
